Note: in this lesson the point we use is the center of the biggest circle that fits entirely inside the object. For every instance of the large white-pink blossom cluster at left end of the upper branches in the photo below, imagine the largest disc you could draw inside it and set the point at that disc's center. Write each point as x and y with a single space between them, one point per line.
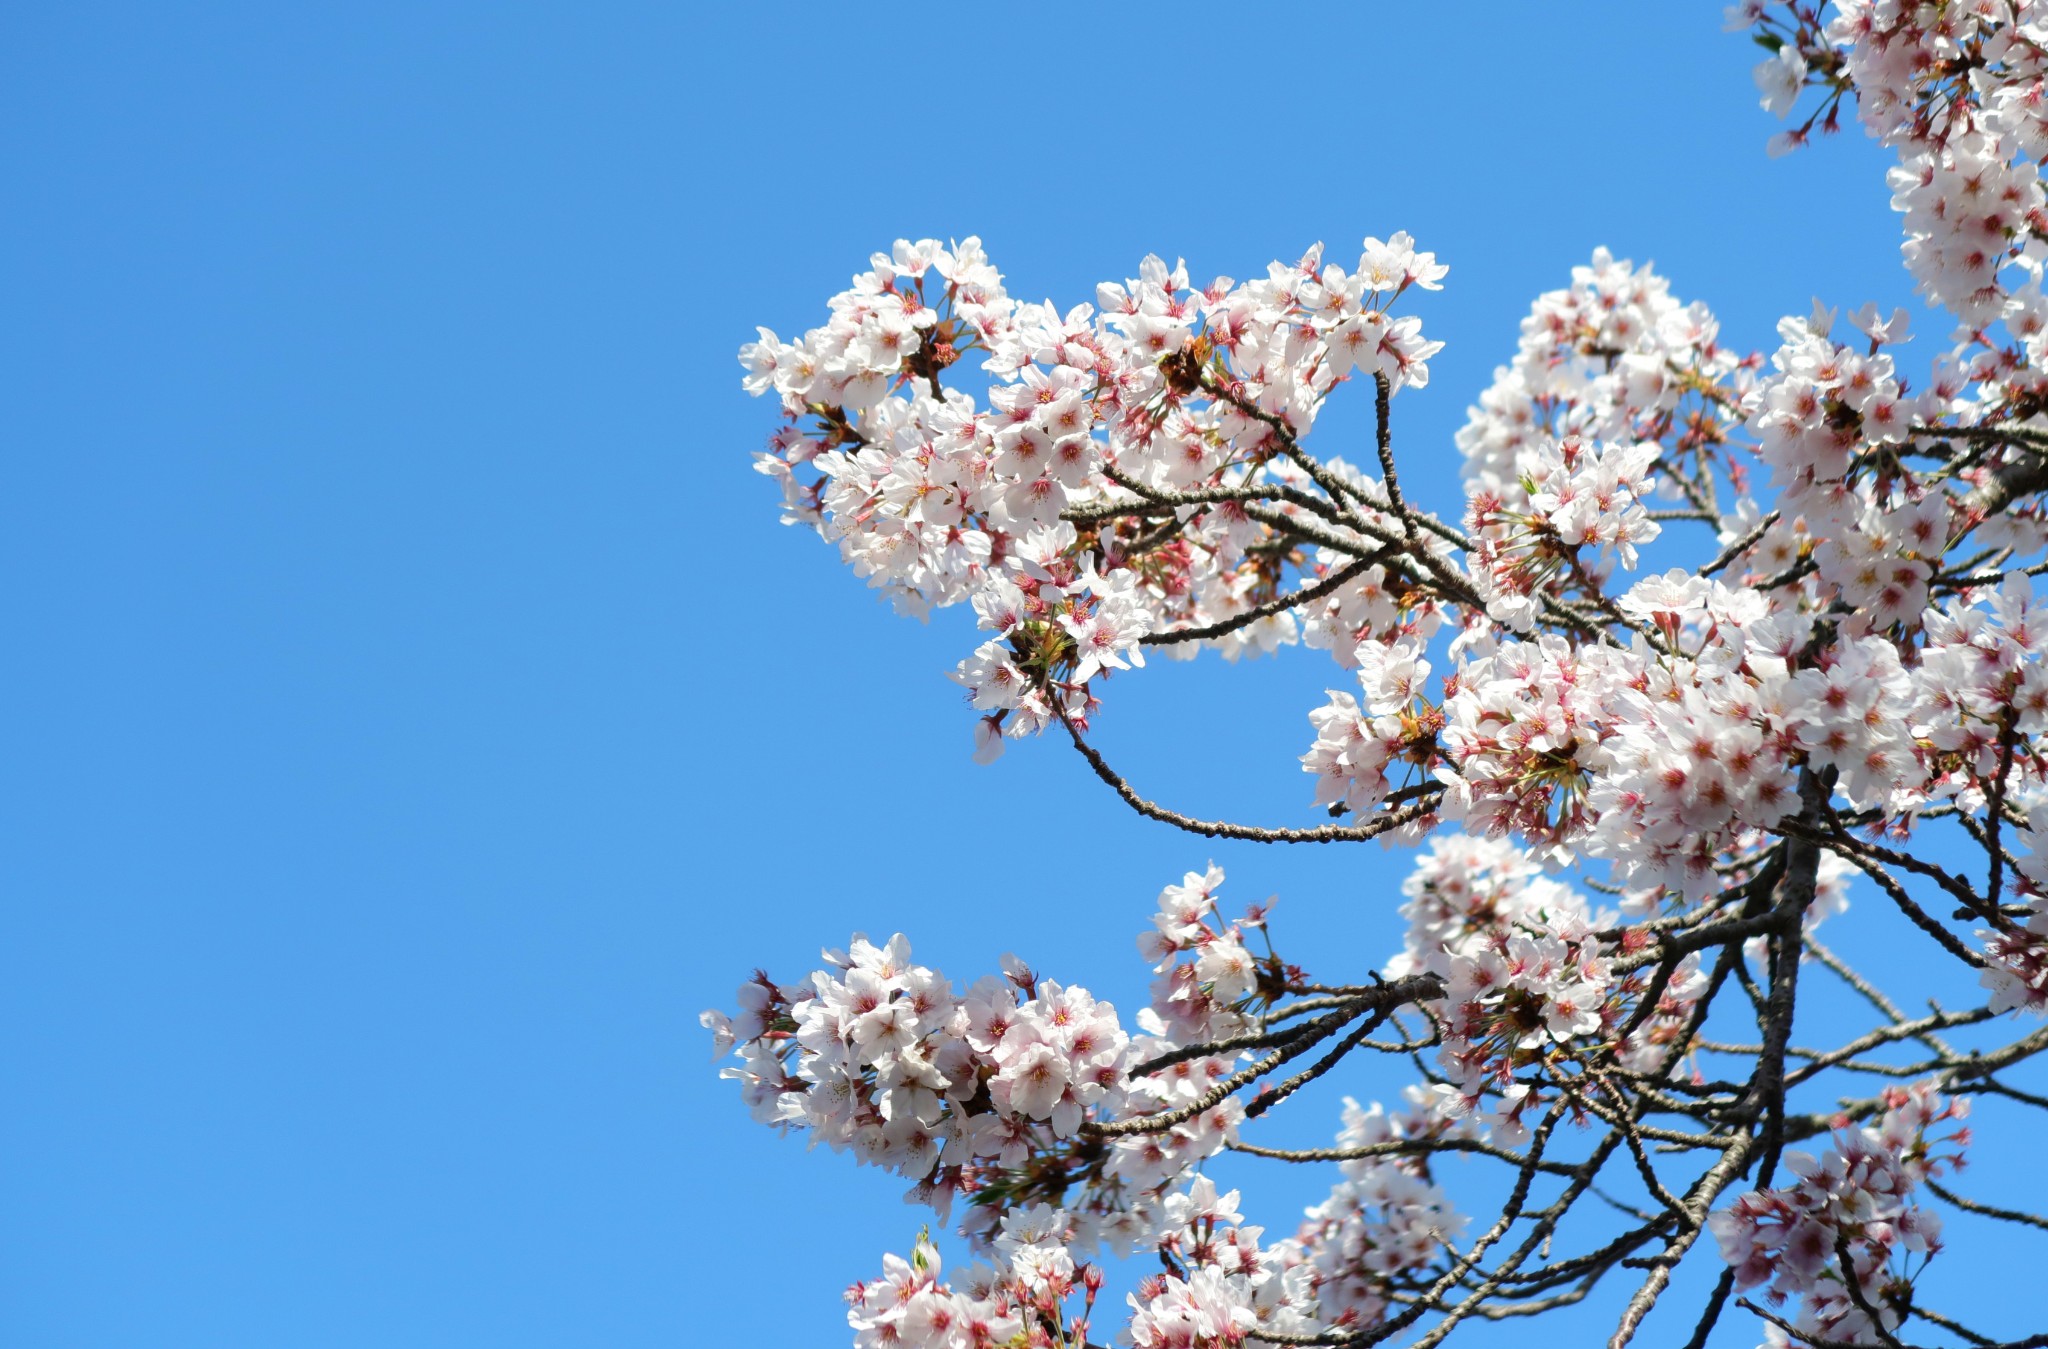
1162 394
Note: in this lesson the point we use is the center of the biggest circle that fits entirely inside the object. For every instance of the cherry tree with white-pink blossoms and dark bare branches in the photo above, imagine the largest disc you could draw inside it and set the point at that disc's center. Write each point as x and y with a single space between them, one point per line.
1633 797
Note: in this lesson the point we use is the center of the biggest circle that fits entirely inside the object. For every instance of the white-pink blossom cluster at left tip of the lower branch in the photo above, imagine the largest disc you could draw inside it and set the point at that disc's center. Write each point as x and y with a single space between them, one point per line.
976 1092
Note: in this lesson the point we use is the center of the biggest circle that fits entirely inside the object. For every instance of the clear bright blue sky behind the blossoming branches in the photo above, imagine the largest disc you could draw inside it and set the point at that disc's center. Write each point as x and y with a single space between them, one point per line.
415 713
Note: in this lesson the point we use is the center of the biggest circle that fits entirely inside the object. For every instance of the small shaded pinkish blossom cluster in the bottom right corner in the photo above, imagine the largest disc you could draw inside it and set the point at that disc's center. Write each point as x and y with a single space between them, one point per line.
1854 1201
